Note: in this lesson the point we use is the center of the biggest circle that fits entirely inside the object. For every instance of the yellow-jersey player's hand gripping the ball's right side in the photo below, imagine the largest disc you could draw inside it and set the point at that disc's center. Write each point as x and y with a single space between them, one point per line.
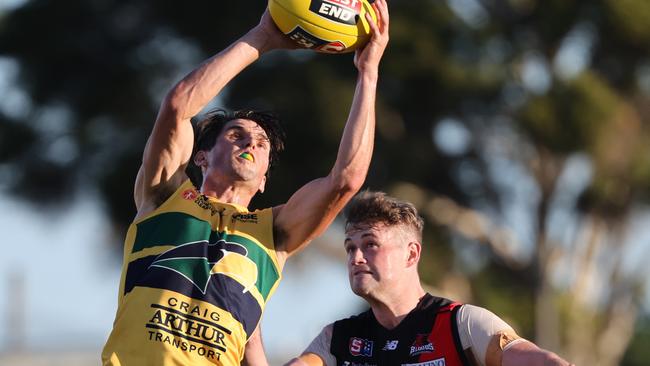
368 57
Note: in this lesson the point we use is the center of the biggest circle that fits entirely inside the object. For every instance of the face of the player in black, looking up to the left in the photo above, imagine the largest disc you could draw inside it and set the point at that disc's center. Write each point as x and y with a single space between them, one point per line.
376 258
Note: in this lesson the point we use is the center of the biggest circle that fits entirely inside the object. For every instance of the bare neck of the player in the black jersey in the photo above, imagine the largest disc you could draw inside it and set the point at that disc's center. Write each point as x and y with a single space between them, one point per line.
391 310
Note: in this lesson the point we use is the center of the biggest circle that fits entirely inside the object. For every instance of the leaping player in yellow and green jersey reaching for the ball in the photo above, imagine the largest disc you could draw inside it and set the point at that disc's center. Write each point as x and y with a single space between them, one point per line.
196 261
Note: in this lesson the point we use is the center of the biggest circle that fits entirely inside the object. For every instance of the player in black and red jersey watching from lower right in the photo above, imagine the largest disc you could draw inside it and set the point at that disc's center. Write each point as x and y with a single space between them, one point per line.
406 325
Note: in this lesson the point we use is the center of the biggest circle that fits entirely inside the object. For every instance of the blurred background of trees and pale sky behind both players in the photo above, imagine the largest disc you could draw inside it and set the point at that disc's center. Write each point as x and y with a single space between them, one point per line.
519 128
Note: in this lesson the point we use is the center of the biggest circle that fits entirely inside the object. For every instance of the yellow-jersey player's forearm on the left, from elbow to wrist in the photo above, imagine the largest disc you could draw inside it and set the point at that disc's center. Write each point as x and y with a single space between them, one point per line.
189 96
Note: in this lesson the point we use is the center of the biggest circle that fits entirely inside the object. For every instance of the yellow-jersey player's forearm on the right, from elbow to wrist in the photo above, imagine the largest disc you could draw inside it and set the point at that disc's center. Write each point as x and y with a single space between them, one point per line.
355 150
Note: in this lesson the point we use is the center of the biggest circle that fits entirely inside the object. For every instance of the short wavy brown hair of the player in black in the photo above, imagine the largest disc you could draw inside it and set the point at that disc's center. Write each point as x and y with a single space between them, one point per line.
370 208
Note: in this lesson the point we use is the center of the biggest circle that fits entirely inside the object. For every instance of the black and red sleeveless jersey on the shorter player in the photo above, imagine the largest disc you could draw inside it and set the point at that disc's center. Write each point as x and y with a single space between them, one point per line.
427 336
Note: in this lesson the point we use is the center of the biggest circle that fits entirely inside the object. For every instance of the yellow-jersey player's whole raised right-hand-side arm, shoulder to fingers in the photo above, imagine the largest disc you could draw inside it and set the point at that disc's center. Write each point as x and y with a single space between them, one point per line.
313 207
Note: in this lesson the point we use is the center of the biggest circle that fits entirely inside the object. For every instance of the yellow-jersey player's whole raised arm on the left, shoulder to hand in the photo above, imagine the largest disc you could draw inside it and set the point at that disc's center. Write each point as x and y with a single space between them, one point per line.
169 147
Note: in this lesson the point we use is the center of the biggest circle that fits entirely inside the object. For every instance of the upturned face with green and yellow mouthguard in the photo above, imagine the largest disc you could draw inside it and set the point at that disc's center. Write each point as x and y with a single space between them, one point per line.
241 152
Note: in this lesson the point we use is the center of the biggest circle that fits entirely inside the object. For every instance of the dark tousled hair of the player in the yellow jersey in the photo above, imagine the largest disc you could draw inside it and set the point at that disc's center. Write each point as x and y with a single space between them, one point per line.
210 126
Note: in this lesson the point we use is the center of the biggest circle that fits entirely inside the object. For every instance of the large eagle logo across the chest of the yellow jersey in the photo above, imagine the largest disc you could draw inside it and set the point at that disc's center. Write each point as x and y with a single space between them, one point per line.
199 261
